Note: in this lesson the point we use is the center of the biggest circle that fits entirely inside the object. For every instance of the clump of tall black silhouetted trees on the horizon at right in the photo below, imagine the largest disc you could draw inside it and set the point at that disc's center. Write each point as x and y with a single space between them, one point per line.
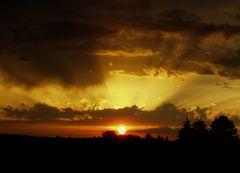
221 130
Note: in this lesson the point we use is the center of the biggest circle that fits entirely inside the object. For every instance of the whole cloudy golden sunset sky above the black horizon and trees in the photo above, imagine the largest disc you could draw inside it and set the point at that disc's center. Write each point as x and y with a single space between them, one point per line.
79 67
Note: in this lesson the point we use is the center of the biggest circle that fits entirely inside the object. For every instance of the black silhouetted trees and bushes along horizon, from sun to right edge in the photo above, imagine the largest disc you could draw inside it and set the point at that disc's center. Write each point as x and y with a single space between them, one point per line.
222 130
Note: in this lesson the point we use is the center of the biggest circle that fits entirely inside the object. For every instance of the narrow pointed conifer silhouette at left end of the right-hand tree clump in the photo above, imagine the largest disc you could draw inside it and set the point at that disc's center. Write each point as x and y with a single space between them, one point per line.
186 133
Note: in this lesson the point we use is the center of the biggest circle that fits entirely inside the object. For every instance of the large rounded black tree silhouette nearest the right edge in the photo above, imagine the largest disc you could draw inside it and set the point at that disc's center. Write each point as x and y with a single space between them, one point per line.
223 130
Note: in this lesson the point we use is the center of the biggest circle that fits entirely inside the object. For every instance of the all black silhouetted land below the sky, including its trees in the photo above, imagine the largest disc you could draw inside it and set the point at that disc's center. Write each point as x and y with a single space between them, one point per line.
197 149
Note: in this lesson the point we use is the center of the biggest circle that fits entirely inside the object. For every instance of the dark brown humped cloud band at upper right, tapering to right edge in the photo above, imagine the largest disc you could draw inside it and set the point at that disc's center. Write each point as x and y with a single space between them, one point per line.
181 21
